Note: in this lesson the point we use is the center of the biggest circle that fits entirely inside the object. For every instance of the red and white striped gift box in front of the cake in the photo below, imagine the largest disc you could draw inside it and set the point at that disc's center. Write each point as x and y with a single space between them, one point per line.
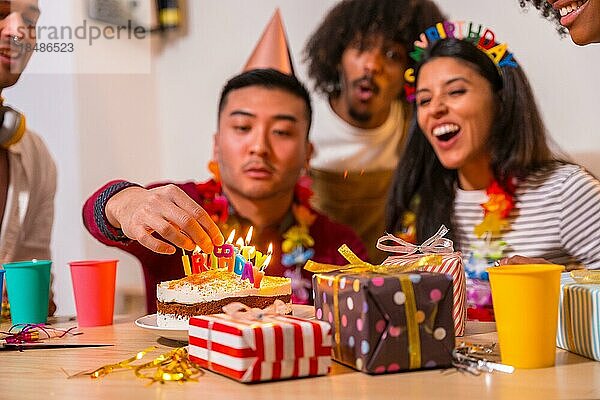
276 347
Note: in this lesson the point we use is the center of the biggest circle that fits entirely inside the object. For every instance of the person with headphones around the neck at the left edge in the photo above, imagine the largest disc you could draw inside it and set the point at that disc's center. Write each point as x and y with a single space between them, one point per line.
27 171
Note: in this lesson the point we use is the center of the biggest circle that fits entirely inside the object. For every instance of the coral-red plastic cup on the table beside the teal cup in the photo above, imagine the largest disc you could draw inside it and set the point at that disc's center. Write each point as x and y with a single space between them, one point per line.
94 290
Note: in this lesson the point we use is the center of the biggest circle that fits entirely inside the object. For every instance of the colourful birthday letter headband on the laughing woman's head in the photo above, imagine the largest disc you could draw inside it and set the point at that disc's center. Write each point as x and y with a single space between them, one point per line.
483 38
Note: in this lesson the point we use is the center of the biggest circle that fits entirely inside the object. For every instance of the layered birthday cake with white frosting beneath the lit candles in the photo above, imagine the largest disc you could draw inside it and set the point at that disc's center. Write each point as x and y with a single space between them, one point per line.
207 292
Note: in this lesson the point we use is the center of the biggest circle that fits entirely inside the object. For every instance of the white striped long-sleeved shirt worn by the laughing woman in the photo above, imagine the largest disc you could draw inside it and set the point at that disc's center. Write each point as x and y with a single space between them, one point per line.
556 217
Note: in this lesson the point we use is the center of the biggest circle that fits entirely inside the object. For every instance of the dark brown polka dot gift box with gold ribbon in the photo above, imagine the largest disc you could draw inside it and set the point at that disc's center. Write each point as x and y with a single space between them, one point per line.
384 320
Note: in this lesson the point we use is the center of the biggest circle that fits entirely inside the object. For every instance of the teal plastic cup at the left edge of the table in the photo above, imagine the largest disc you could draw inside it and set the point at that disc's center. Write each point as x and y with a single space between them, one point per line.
28 287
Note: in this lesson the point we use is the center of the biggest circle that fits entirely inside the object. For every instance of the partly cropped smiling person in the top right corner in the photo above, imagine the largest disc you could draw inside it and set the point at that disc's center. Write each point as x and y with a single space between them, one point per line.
580 17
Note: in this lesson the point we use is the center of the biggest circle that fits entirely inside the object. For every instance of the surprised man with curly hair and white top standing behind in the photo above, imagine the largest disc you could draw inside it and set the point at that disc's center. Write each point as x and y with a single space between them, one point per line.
356 58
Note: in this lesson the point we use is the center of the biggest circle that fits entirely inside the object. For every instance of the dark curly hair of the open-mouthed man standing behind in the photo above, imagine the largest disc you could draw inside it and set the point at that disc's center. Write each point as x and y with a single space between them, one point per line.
399 21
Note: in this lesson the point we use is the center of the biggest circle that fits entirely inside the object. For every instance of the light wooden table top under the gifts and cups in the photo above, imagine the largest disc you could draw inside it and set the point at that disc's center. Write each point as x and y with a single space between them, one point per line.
37 374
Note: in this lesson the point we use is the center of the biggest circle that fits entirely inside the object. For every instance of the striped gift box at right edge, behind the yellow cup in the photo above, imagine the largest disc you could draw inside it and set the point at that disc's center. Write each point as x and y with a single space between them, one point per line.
579 318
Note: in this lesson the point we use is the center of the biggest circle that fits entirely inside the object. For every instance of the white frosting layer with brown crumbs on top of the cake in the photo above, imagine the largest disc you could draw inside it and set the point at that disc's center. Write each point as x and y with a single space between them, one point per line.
215 285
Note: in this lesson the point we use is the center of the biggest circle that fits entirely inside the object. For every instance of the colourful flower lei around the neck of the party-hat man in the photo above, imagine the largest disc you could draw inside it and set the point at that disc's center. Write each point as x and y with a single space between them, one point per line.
297 243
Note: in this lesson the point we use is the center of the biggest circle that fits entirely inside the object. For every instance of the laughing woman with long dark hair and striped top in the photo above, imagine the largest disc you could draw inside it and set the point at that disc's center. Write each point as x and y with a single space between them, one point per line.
478 161
